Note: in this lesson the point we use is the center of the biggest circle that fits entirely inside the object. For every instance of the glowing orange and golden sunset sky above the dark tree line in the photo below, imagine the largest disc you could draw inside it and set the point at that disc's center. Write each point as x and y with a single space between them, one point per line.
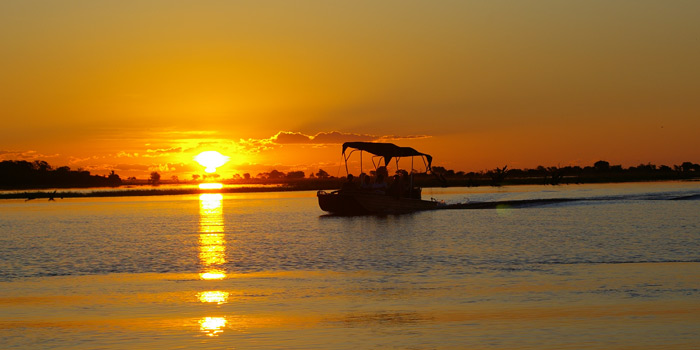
142 86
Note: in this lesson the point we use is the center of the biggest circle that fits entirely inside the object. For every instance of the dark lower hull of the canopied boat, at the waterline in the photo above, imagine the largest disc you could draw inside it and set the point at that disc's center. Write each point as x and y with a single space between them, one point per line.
362 203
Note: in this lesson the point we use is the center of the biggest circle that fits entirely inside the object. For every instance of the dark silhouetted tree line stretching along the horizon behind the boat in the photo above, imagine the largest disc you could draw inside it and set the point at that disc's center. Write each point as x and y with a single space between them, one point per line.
40 174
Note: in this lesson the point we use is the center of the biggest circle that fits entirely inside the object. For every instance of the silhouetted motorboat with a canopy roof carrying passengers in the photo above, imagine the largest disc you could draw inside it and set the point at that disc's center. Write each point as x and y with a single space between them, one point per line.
398 198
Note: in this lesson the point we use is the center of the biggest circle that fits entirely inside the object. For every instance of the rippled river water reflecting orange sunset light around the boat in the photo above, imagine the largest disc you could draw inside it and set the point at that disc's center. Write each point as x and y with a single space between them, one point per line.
270 271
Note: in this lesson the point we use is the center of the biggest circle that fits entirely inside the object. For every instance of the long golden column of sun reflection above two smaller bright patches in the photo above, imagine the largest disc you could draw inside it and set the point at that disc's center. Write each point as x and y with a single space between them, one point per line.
212 243
